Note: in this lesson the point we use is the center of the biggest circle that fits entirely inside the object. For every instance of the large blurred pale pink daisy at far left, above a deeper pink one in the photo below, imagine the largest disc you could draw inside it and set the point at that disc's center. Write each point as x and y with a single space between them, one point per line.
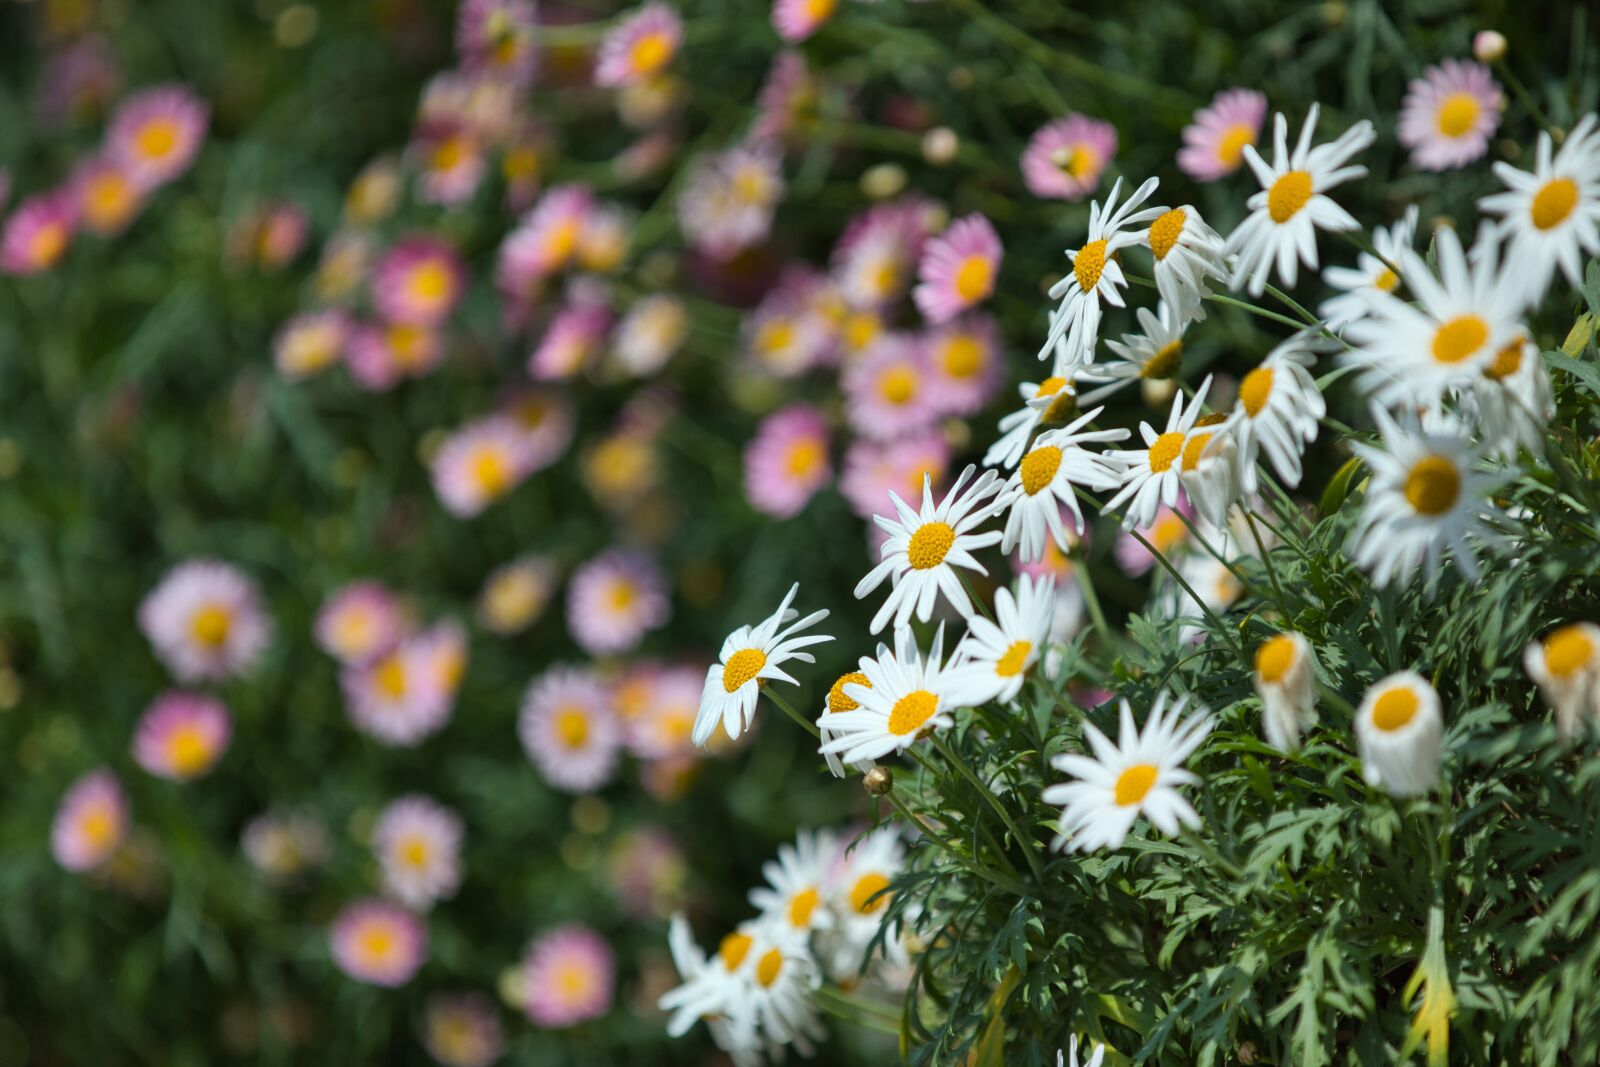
206 621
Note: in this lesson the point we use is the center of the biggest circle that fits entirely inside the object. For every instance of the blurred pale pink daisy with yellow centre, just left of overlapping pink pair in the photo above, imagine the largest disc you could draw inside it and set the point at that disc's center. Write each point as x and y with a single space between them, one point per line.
570 730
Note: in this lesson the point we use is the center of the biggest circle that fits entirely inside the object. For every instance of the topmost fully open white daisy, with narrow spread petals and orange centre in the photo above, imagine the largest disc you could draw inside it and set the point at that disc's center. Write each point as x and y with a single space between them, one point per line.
1294 202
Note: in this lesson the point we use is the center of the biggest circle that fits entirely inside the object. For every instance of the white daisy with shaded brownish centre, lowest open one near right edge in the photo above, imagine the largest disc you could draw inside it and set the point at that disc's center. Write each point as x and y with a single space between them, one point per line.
1425 498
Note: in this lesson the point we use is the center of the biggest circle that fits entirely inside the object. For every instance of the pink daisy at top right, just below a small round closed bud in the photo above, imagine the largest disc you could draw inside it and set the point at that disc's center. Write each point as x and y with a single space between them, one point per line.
1450 114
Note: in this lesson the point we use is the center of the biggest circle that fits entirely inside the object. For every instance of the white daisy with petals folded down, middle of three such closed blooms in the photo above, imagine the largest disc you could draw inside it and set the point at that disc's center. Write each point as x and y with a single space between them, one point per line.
1399 730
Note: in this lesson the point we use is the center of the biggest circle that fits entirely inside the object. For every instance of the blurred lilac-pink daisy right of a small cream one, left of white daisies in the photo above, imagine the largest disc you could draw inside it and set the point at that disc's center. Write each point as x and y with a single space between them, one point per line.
614 601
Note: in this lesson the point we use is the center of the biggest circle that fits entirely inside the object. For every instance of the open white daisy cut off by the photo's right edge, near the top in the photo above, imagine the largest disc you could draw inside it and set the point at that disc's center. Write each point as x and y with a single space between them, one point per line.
1551 215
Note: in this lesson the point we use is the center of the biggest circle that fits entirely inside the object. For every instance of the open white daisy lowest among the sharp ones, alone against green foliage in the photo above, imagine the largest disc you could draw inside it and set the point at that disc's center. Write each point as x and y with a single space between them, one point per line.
1140 773
